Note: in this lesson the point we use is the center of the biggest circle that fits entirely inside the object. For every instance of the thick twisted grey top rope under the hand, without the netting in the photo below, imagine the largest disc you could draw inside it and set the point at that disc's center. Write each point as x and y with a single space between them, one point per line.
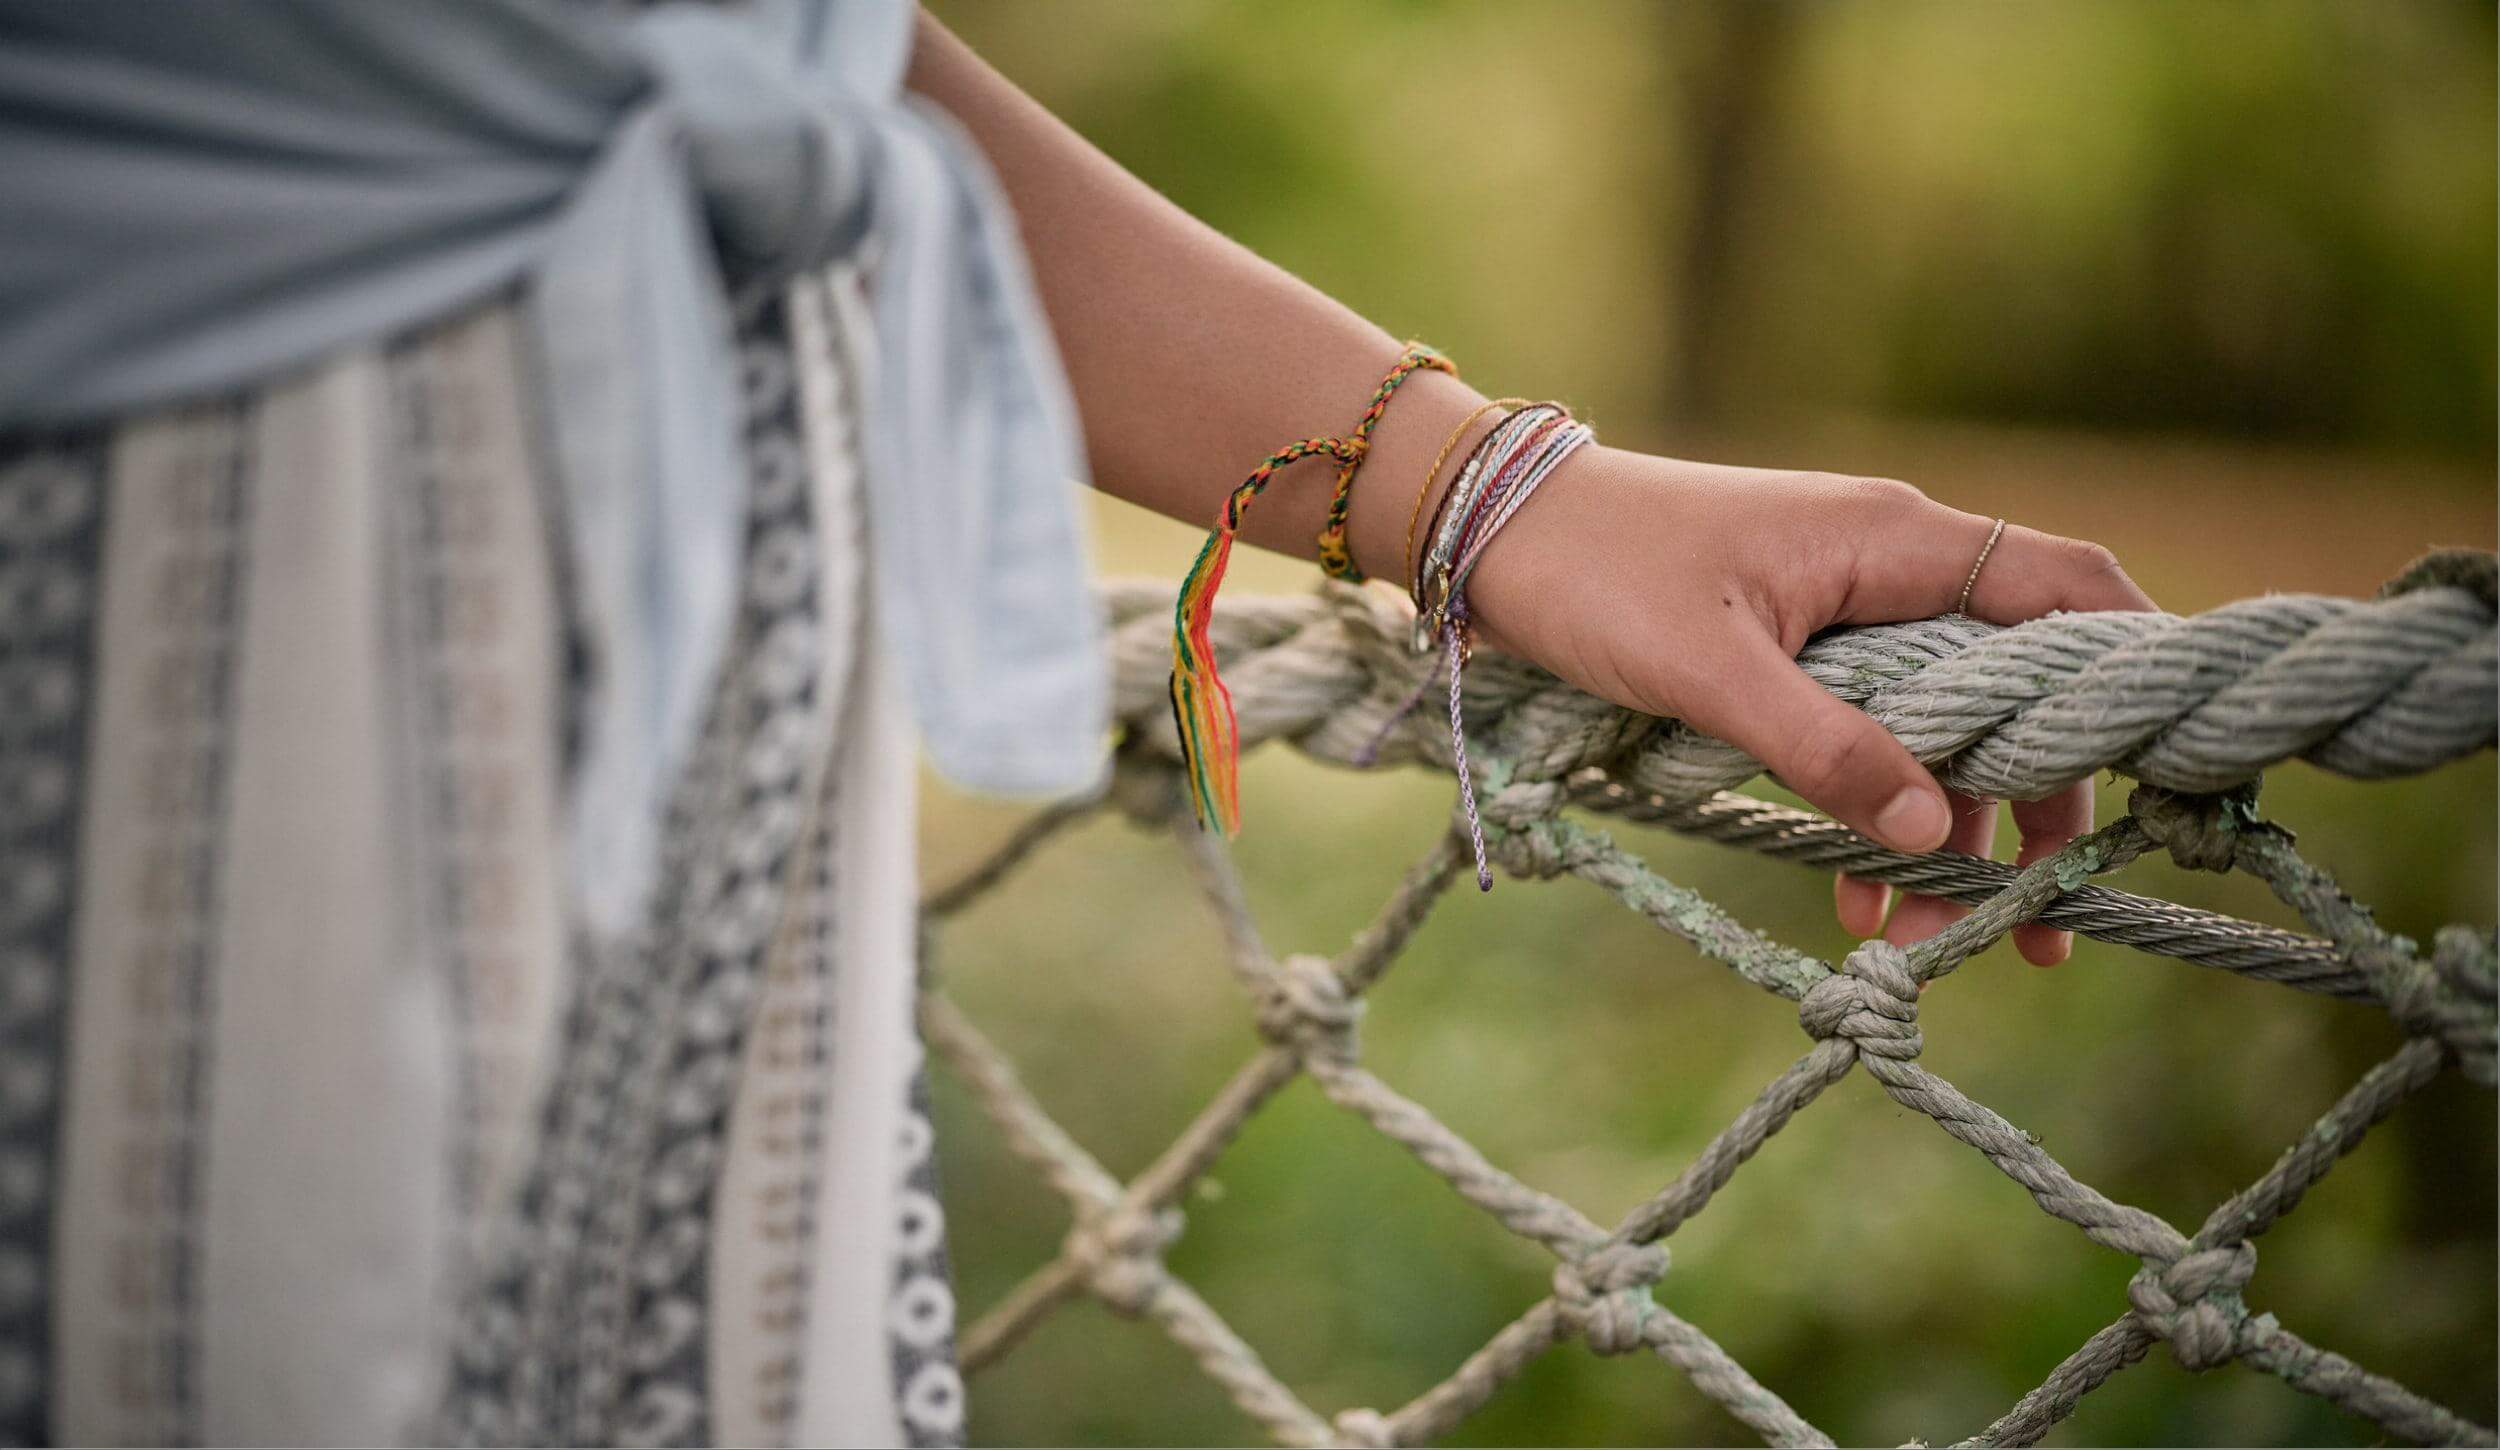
2369 689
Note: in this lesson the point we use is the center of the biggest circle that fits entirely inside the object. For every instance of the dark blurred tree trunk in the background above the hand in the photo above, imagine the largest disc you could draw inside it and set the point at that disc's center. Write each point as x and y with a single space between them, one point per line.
1731 56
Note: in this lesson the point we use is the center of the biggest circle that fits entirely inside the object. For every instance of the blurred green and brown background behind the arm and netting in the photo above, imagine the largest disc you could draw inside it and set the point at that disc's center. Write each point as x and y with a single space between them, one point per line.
2211 284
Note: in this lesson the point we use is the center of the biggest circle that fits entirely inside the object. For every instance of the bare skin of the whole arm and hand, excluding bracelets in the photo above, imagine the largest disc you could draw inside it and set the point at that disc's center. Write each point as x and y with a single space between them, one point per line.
1666 586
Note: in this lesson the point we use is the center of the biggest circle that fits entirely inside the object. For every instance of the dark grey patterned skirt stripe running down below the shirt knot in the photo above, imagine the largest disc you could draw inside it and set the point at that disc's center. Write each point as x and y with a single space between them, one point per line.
599 1326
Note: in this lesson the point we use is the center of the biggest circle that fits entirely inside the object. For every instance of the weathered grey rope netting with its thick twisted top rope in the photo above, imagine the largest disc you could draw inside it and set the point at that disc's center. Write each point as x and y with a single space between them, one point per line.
2194 709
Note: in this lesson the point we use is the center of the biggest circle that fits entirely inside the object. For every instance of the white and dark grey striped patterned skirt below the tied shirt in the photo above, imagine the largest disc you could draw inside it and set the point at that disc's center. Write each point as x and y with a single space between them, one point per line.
321 1116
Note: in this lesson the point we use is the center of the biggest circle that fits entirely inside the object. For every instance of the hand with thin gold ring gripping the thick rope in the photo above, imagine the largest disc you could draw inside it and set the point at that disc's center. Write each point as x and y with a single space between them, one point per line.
1689 589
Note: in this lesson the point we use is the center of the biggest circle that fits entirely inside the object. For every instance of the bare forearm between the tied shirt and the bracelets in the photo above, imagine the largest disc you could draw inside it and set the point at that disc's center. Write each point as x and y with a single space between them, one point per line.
1191 356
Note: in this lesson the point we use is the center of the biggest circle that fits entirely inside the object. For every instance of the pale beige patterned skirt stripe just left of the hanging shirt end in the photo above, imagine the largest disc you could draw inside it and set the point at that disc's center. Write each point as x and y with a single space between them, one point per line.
481 636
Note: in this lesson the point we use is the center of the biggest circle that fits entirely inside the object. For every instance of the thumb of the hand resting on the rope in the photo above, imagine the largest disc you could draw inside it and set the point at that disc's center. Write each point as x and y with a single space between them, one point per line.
1826 751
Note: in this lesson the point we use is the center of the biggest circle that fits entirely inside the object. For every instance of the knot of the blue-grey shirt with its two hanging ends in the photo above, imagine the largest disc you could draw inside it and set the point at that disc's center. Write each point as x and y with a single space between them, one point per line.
756 151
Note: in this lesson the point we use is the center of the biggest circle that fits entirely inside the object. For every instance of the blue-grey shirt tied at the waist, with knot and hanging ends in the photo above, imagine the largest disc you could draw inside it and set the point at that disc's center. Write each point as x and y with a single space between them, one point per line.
209 196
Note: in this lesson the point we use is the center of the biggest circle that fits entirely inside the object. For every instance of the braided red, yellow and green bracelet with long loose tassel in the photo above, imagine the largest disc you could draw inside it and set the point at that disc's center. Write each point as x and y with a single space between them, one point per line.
1201 701
